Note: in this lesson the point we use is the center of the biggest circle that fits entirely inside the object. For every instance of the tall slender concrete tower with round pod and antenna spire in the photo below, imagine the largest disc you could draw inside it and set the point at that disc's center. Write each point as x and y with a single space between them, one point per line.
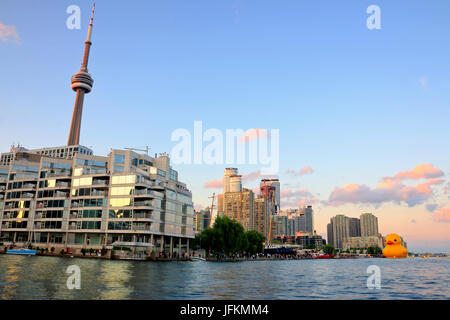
81 83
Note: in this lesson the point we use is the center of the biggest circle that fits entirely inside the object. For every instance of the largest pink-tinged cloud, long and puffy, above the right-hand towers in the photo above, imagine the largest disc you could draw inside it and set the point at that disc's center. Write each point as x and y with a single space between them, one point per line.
390 190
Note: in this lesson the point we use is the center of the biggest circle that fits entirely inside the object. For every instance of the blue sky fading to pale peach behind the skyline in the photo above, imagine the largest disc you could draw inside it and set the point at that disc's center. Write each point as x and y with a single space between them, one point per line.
354 104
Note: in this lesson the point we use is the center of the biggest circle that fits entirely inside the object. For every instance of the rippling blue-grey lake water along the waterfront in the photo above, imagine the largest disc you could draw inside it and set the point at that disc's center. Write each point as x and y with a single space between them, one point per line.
45 278
